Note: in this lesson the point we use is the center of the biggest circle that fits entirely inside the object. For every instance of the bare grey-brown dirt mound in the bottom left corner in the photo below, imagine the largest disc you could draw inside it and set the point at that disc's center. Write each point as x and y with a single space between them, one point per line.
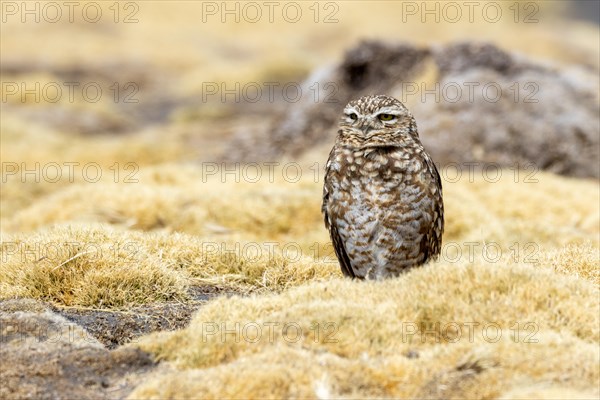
45 356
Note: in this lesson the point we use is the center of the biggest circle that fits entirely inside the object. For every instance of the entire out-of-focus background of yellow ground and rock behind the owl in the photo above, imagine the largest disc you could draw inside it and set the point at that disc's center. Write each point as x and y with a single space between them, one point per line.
152 82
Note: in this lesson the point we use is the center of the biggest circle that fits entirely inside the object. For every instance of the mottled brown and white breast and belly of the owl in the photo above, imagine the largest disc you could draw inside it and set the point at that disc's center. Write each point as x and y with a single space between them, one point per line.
382 204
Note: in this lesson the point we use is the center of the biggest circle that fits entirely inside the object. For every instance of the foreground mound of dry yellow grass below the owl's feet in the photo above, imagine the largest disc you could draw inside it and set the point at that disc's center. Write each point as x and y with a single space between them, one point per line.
407 337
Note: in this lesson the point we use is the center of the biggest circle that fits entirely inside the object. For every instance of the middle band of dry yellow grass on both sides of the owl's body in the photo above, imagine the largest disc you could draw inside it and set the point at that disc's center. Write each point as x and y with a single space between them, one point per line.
269 236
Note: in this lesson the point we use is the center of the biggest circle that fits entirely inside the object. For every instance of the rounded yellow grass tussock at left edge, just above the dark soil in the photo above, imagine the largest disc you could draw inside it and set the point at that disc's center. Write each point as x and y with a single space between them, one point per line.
85 266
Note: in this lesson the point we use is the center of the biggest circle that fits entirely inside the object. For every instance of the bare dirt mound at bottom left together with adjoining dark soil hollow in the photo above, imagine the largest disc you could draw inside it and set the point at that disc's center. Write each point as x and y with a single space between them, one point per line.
47 352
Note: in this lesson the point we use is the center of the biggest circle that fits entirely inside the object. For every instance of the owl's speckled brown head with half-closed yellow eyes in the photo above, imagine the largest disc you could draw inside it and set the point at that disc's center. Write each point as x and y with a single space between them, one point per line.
376 121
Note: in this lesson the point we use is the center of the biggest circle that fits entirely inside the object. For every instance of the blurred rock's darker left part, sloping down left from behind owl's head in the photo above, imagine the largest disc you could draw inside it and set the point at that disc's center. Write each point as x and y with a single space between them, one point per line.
366 69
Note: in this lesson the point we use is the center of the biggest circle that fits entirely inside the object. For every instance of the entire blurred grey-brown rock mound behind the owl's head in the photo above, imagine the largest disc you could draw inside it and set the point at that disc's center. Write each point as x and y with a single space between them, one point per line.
485 105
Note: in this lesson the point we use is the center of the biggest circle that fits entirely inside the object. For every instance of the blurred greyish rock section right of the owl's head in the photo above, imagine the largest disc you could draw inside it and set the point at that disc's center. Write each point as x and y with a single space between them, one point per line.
531 115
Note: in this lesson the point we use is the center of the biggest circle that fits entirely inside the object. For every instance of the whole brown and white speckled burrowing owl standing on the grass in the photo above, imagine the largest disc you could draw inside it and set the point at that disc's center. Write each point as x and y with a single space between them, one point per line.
382 198
